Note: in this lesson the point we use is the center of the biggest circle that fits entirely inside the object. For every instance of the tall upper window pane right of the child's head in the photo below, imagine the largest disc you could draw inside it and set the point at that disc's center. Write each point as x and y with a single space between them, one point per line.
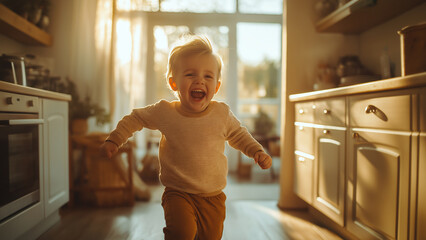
259 60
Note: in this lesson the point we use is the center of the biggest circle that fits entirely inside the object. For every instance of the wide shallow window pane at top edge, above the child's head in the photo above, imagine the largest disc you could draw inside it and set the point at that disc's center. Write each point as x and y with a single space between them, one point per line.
198 6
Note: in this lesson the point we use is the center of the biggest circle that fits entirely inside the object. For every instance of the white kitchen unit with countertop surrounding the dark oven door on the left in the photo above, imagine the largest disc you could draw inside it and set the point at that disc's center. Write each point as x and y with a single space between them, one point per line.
53 190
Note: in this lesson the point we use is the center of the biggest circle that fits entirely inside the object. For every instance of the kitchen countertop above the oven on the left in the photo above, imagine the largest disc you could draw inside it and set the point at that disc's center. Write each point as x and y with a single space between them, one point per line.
14 88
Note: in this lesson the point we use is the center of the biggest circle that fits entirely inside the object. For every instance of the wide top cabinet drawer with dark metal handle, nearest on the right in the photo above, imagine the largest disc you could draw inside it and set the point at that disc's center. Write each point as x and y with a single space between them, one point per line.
383 111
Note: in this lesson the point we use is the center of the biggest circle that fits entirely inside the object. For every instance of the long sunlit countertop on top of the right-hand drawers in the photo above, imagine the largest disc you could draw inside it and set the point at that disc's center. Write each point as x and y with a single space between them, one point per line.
410 81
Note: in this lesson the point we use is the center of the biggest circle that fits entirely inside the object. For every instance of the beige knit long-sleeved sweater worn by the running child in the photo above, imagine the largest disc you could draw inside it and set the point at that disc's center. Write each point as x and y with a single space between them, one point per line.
192 146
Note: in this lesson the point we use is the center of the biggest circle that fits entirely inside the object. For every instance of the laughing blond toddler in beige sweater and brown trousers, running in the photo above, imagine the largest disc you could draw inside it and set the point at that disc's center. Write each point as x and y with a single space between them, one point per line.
193 166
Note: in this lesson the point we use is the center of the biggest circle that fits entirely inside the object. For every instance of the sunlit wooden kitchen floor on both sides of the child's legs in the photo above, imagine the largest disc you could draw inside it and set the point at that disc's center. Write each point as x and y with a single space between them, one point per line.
252 214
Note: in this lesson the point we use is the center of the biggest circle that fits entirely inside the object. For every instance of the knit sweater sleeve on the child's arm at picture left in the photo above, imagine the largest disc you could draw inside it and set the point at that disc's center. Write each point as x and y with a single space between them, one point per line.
136 121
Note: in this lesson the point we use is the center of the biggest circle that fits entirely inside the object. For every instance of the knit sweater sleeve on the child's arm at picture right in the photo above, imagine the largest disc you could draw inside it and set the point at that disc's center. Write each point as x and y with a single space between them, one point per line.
239 137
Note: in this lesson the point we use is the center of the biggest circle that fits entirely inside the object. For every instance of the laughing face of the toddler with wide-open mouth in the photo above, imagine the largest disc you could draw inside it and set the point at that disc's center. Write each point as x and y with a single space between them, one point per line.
196 81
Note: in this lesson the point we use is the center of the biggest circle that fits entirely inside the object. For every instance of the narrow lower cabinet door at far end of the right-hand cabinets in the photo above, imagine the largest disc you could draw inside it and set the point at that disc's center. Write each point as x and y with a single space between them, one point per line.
303 176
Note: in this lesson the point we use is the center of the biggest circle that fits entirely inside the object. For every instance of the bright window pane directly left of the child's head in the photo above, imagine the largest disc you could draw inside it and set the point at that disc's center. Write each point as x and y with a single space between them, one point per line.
164 37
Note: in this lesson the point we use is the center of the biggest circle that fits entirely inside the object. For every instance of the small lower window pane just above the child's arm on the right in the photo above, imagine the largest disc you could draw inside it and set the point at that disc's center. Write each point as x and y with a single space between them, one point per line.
260 119
